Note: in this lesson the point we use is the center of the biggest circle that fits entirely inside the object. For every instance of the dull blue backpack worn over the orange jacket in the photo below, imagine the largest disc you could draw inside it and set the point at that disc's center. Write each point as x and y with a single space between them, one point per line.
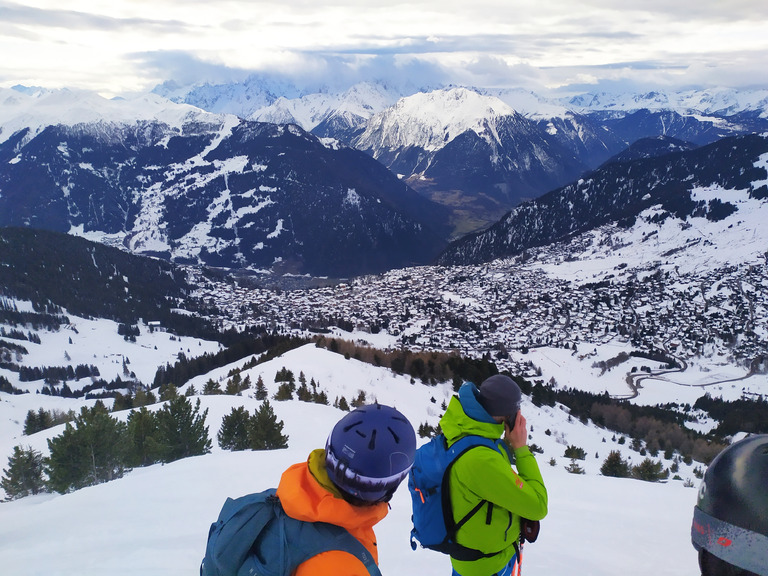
253 536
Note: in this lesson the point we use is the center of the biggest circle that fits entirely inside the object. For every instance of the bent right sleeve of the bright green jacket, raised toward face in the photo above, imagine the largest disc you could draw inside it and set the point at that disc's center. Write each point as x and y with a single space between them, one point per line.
490 477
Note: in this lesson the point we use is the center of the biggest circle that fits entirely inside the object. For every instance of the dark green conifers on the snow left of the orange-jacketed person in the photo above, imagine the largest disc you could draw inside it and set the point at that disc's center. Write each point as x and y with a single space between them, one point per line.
96 447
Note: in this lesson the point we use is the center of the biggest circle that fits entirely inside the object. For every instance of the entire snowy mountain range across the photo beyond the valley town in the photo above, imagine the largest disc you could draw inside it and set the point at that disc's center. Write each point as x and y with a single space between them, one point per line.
167 178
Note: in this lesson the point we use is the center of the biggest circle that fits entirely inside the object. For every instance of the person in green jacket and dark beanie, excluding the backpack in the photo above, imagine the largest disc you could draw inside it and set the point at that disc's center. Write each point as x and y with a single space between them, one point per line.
484 474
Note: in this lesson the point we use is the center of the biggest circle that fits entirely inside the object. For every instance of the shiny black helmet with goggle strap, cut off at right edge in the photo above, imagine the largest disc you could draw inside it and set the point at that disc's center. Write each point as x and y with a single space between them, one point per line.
730 520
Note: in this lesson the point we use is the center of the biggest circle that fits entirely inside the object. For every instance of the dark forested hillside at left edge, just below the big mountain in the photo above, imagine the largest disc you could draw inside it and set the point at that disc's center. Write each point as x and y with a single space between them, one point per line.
90 280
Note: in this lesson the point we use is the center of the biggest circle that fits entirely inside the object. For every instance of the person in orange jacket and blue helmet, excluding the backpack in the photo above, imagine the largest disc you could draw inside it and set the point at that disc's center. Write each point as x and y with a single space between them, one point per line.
367 455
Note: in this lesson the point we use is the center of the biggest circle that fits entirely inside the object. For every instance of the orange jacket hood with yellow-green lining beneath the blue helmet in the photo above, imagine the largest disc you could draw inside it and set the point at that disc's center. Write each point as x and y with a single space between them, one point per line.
307 493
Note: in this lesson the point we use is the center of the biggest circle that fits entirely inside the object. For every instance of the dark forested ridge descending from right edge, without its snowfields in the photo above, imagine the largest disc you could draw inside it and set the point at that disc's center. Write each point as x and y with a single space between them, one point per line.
619 192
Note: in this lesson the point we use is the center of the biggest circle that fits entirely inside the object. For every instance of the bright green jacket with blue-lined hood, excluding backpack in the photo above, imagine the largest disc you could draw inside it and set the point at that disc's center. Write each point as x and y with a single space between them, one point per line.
486 474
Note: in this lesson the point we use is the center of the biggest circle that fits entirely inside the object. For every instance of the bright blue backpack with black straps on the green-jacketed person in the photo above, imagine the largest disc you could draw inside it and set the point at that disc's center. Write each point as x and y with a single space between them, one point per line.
433 523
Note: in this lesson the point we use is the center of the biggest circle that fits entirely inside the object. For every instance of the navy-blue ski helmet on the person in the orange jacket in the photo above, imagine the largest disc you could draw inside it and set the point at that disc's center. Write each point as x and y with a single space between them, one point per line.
369 452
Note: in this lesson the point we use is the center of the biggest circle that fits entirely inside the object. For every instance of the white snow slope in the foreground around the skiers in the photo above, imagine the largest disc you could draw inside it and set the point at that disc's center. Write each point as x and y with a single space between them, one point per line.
155 520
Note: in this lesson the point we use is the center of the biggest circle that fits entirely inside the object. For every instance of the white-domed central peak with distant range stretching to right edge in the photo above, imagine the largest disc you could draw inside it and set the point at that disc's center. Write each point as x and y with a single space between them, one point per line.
498 148
